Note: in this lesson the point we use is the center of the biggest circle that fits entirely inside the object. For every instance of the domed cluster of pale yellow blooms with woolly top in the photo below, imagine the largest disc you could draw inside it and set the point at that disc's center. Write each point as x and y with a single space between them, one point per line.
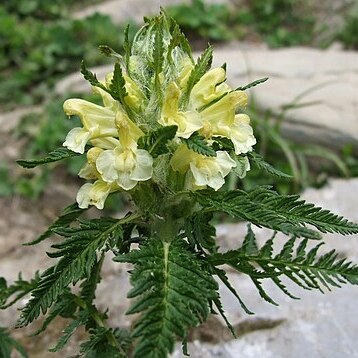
141 97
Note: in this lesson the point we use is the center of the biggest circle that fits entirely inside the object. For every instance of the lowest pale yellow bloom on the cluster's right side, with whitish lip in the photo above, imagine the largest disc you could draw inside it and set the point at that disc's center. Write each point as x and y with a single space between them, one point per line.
205 171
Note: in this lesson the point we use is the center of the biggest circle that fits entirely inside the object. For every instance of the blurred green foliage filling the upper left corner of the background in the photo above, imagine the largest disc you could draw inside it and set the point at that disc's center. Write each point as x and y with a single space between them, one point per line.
34 54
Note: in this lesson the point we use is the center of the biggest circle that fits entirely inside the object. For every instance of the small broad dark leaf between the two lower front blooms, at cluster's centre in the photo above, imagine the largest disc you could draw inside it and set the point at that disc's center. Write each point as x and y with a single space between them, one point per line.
156 142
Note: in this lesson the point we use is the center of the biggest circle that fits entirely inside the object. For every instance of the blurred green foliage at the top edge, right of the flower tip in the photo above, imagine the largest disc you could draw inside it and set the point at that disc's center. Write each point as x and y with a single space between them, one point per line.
278 22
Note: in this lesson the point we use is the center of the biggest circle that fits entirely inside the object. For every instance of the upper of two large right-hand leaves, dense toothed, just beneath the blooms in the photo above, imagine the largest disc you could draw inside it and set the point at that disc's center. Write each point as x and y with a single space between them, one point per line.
286 213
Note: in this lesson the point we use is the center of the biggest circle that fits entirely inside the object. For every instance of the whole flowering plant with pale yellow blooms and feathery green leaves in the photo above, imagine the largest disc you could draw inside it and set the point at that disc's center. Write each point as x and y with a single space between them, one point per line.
169 132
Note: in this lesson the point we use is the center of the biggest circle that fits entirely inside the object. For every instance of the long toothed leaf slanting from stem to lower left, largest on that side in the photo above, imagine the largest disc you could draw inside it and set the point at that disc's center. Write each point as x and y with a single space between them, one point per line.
78 255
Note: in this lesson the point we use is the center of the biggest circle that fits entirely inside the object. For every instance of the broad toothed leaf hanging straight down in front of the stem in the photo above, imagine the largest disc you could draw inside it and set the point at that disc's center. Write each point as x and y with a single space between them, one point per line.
173 292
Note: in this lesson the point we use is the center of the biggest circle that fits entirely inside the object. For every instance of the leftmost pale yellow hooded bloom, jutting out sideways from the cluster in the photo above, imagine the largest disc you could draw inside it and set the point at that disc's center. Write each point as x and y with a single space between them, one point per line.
98 122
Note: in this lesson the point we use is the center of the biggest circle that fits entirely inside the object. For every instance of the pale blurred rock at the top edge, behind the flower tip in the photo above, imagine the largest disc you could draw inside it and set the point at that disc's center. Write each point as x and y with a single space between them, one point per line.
123 11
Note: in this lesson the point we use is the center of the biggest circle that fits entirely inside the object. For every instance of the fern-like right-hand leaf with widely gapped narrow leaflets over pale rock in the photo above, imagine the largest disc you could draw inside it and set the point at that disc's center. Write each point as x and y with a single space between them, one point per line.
303 267
